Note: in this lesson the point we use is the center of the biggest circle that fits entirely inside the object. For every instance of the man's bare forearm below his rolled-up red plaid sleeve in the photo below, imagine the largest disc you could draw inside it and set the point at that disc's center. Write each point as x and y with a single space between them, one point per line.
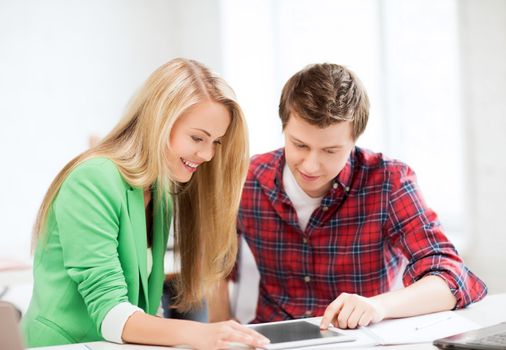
429 294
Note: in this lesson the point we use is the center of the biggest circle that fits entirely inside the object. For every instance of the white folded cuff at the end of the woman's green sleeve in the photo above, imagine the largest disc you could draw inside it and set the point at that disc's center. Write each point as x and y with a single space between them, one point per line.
115 320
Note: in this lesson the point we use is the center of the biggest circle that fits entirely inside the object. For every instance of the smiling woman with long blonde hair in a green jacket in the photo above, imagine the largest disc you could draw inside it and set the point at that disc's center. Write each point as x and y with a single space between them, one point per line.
102 228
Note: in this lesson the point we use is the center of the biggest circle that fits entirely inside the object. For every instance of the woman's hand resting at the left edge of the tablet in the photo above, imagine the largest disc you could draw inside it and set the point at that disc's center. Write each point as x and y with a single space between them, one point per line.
218 336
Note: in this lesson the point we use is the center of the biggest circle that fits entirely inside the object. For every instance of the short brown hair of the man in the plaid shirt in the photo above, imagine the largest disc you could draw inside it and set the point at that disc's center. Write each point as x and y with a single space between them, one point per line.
324 94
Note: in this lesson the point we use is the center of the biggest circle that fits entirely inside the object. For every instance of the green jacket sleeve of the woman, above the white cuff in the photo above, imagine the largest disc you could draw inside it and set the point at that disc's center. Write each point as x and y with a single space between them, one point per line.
87 211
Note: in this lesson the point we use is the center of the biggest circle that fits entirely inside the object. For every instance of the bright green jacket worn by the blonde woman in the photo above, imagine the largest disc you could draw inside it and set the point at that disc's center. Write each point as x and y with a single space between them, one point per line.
93 256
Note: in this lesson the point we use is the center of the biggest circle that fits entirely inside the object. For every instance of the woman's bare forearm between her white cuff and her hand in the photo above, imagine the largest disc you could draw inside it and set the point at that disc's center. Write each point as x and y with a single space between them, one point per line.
142 328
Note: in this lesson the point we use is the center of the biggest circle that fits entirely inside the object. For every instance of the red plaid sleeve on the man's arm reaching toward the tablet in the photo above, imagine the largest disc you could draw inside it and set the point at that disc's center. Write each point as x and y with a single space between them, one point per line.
414 229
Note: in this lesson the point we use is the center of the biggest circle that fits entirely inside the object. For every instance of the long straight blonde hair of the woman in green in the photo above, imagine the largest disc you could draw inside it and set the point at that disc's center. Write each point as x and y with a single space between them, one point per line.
205 209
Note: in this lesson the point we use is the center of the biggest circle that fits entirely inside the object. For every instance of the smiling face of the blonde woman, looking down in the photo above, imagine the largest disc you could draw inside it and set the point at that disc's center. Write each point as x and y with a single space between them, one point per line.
194 138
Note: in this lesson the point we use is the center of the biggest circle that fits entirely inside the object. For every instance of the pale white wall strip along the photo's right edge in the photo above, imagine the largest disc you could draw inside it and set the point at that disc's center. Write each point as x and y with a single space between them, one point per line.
483 45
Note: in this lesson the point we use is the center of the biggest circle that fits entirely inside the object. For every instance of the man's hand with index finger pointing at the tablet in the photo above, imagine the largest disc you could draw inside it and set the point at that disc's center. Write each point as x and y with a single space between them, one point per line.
352 310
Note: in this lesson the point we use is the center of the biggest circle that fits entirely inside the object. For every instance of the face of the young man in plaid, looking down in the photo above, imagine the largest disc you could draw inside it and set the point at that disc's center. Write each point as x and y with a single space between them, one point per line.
316 155
